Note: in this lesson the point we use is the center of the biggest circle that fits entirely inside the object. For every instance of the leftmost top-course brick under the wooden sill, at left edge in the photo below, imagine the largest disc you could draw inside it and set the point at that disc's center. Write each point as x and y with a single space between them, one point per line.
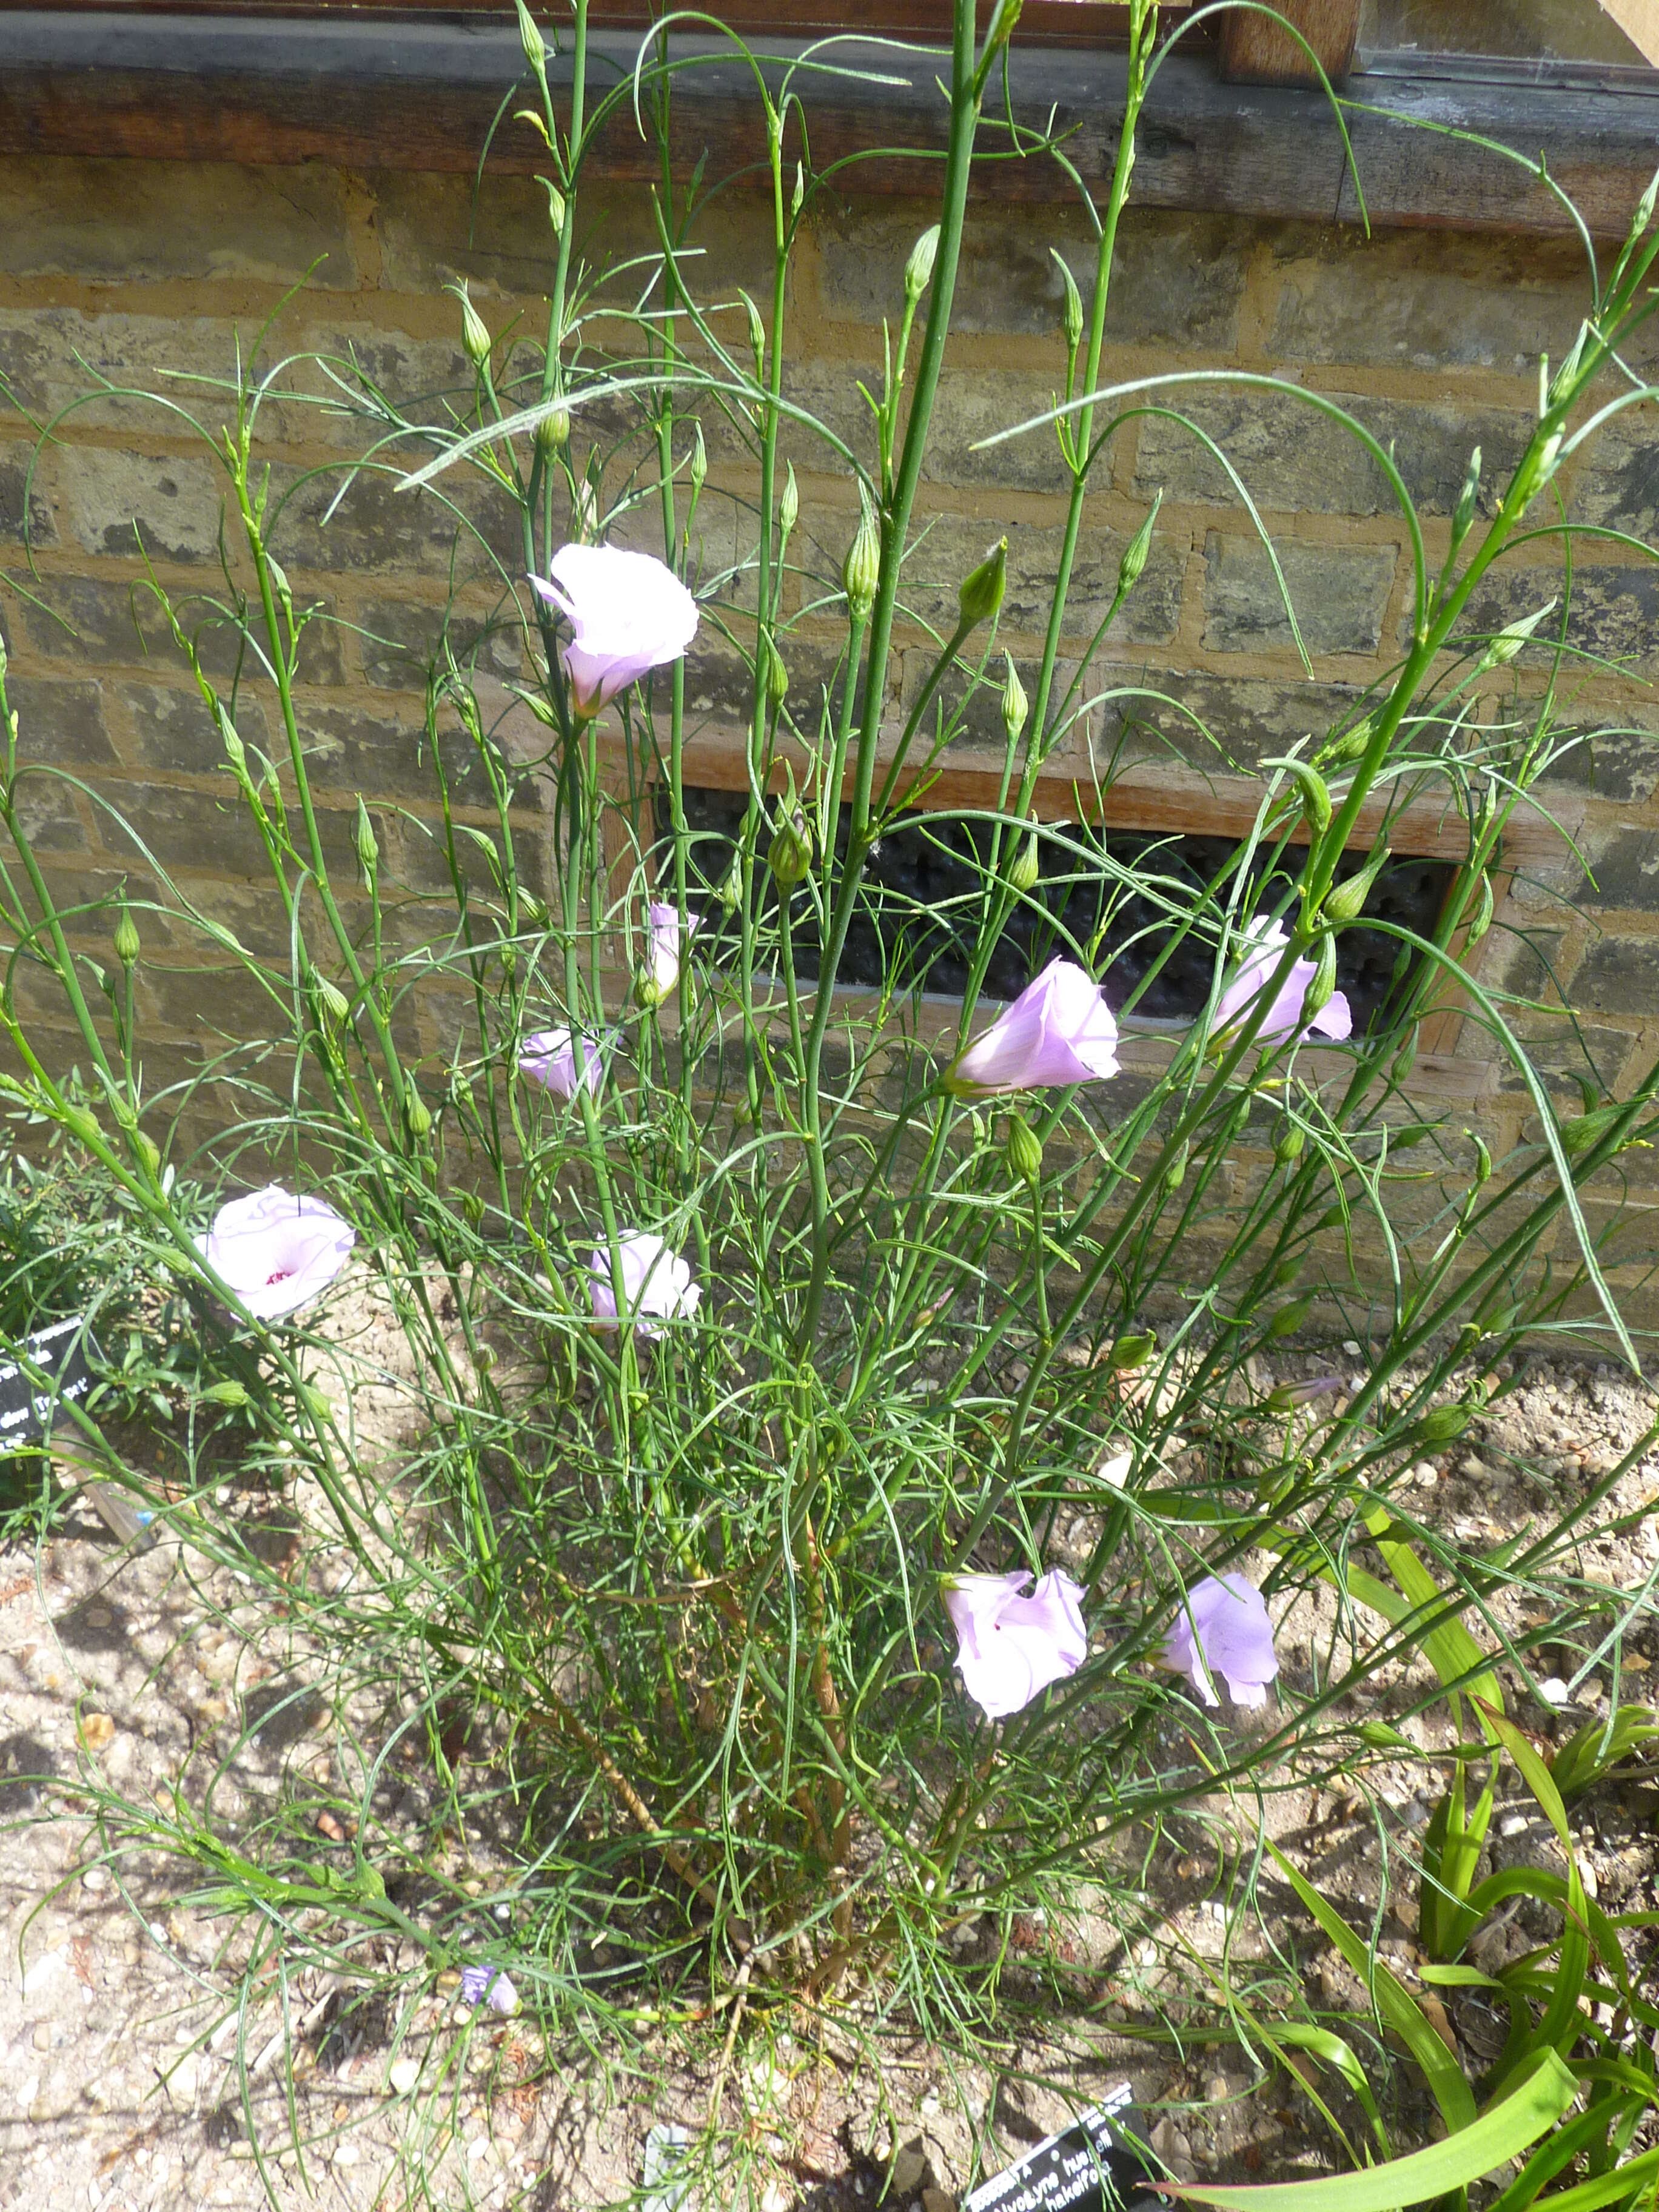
121 222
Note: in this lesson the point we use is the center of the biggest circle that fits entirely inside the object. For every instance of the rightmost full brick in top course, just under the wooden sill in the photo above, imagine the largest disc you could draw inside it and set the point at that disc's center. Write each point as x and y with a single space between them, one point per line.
1426 300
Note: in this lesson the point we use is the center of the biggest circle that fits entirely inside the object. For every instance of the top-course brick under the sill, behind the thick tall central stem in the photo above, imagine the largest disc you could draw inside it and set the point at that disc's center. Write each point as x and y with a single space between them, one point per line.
1178 280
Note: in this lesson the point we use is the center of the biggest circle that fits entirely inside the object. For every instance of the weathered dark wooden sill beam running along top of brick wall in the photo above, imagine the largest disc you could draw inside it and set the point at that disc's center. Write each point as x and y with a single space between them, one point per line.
364 90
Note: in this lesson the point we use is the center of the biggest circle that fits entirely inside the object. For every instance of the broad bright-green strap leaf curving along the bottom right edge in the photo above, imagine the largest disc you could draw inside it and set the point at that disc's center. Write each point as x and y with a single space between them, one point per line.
1503 2131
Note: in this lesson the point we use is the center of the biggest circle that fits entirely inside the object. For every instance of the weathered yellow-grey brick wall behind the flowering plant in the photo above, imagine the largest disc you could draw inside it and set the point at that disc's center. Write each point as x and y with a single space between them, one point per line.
136 271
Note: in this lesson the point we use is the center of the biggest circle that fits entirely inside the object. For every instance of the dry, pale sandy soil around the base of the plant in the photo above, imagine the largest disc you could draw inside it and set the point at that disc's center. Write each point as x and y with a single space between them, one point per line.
118 2003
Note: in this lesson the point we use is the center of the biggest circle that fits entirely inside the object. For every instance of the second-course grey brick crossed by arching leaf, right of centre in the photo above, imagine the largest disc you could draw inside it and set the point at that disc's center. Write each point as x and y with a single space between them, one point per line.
1295 459
